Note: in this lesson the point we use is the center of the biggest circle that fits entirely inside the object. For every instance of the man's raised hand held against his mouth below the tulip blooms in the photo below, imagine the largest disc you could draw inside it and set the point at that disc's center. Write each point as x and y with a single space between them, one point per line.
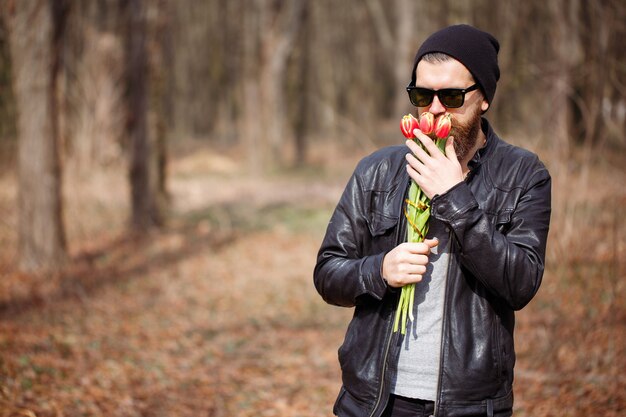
433 171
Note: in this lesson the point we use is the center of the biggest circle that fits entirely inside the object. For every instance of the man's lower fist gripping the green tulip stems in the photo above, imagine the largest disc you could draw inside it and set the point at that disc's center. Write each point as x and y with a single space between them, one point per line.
406 263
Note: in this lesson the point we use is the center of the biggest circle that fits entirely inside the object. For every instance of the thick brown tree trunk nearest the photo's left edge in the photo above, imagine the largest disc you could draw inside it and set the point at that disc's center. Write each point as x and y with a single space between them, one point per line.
35 29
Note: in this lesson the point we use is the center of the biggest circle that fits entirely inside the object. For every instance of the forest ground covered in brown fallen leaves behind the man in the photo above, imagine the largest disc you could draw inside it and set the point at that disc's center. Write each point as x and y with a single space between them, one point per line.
216 313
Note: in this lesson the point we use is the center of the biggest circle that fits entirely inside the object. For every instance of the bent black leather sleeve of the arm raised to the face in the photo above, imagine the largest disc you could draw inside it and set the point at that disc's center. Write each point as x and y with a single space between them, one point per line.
509 262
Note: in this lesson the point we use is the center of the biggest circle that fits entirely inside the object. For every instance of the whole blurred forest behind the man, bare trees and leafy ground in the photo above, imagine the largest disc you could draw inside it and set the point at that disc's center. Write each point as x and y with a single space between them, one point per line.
167 170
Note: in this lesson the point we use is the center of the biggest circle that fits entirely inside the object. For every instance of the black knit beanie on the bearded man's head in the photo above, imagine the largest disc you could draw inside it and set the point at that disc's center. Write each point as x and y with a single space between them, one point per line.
475 49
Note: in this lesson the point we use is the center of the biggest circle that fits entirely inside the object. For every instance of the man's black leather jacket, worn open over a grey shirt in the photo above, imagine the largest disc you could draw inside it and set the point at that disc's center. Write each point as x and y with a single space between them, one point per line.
498 219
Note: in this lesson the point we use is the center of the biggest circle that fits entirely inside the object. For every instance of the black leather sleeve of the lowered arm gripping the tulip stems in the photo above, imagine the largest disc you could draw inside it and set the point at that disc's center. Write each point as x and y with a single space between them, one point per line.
343 272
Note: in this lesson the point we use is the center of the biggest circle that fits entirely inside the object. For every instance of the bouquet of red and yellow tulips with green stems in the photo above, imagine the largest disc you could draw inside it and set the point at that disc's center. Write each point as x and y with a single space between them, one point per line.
417 209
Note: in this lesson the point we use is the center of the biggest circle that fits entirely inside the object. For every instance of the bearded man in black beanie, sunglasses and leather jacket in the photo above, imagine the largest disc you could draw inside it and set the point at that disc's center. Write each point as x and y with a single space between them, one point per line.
482 260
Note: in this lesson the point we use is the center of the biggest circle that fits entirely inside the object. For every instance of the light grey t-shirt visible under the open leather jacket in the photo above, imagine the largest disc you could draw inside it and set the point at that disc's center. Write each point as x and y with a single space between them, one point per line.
418 363
